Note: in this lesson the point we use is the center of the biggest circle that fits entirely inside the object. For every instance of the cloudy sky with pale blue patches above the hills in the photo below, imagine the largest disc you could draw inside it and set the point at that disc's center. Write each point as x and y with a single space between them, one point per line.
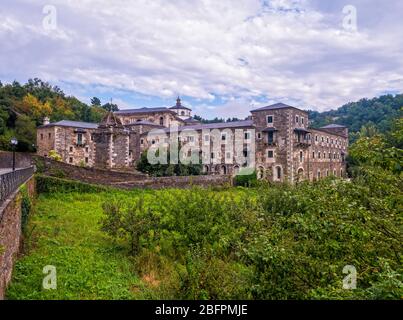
223 57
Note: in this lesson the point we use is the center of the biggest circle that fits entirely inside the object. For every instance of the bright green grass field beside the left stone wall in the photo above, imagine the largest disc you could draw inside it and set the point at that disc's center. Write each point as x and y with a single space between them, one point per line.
64 232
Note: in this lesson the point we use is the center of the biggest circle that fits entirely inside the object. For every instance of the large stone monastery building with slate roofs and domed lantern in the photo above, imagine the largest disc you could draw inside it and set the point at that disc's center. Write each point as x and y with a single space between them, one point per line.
282 145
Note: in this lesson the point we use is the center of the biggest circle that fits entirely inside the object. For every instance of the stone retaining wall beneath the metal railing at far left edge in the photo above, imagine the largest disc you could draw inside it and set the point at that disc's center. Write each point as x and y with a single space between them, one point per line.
10 234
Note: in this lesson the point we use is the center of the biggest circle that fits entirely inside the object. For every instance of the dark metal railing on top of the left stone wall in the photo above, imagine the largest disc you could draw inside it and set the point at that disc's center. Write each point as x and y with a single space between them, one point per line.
10 181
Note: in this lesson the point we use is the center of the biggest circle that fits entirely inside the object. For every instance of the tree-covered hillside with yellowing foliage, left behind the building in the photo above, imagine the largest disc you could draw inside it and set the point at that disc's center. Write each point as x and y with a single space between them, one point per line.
23 107
